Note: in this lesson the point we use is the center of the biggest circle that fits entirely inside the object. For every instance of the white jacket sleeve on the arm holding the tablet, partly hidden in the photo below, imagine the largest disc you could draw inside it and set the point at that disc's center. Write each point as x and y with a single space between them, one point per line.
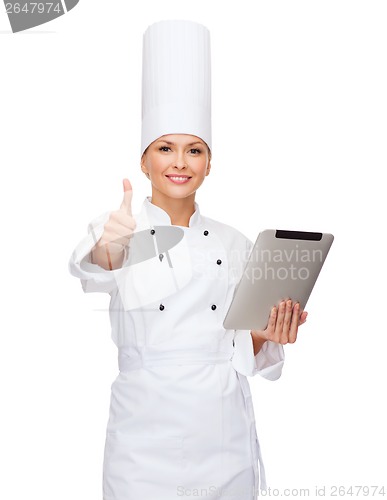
268 362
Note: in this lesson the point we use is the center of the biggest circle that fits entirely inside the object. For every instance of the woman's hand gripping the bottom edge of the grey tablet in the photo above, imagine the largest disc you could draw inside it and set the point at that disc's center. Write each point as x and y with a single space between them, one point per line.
283 324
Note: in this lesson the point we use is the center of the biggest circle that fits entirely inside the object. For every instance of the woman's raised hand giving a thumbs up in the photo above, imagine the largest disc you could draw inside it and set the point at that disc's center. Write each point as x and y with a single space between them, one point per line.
109 250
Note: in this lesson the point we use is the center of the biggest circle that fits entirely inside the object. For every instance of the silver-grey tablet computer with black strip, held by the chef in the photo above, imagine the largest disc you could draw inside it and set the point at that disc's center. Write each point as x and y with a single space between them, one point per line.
282 265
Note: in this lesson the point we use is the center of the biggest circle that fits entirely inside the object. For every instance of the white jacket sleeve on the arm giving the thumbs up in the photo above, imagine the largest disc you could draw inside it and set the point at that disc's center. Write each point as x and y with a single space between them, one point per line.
93 278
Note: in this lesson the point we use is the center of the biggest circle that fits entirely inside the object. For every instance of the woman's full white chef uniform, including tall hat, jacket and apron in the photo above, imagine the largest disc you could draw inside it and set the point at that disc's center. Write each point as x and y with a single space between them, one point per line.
181 417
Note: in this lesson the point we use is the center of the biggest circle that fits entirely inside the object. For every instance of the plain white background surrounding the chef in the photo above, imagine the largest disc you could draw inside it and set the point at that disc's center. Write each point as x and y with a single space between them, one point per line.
299 142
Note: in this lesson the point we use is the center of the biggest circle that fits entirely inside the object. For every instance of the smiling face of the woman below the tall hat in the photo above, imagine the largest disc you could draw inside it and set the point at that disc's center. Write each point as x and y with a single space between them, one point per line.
177 164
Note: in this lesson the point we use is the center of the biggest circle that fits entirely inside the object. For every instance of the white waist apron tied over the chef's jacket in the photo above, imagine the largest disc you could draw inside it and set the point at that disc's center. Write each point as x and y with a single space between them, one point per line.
138 464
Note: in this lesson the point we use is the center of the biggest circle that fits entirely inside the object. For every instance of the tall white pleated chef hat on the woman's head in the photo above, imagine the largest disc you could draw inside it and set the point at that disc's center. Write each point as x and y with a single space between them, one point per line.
176 81
